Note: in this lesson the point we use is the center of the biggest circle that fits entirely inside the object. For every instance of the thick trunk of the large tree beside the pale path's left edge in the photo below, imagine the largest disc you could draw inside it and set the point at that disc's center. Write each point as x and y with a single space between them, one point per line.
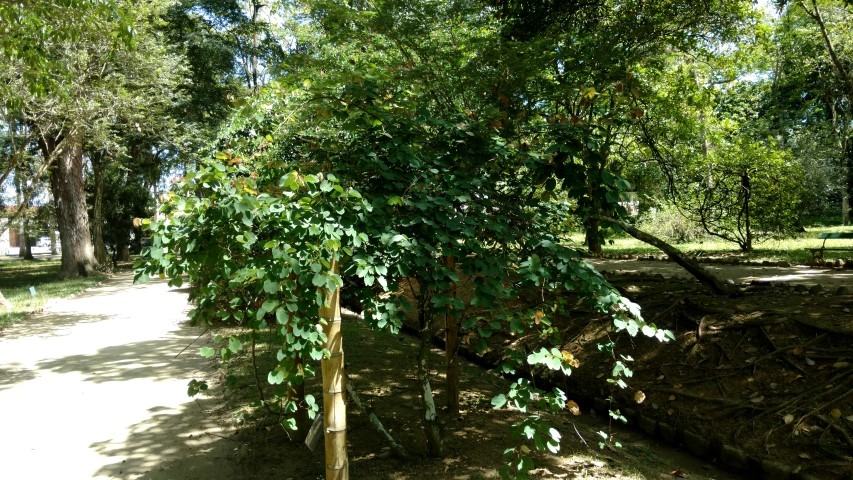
77 257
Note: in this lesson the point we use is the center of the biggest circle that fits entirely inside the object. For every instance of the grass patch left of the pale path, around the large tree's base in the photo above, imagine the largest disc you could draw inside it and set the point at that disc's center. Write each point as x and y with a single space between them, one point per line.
17 276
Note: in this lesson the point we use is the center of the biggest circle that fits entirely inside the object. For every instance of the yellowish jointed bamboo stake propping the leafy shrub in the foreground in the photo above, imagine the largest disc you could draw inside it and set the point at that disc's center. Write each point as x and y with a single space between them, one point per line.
334 407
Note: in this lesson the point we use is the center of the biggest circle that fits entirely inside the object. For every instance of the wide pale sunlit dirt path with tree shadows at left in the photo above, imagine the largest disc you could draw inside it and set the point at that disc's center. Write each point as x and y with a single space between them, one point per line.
94 387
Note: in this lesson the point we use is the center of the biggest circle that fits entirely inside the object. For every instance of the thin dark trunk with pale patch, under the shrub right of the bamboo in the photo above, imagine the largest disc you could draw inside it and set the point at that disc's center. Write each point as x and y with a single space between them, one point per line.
432 429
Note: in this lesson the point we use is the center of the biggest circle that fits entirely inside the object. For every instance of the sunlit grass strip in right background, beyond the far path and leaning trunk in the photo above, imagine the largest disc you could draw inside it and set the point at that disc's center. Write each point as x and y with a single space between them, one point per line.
793 250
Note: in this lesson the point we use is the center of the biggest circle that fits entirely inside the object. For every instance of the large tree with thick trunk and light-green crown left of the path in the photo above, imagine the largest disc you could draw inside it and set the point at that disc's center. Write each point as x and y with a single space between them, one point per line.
90 80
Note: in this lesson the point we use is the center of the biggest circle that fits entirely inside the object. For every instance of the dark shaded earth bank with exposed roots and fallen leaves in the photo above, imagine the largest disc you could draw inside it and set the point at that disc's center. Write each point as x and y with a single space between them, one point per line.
768 372
